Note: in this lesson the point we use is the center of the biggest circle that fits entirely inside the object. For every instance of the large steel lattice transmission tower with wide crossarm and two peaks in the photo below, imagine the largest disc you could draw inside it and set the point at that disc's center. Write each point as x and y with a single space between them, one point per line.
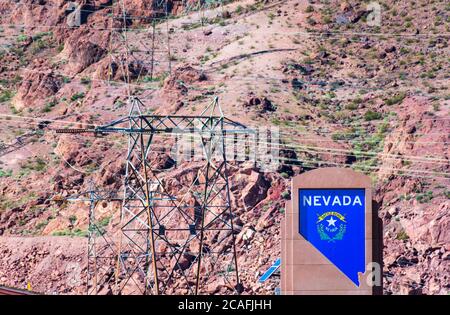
176 222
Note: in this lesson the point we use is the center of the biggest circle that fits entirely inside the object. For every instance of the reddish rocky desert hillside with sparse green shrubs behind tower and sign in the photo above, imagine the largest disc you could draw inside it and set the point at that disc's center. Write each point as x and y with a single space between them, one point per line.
344 91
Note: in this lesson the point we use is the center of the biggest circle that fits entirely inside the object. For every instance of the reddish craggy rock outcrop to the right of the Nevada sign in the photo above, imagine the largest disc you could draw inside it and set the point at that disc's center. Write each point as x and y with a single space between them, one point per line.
415 211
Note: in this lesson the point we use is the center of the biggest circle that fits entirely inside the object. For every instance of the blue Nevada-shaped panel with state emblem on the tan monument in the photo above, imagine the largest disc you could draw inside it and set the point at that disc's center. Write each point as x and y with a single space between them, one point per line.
333 221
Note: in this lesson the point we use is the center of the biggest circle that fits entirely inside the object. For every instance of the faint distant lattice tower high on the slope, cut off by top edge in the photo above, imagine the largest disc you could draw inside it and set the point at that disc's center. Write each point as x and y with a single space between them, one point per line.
147 58
